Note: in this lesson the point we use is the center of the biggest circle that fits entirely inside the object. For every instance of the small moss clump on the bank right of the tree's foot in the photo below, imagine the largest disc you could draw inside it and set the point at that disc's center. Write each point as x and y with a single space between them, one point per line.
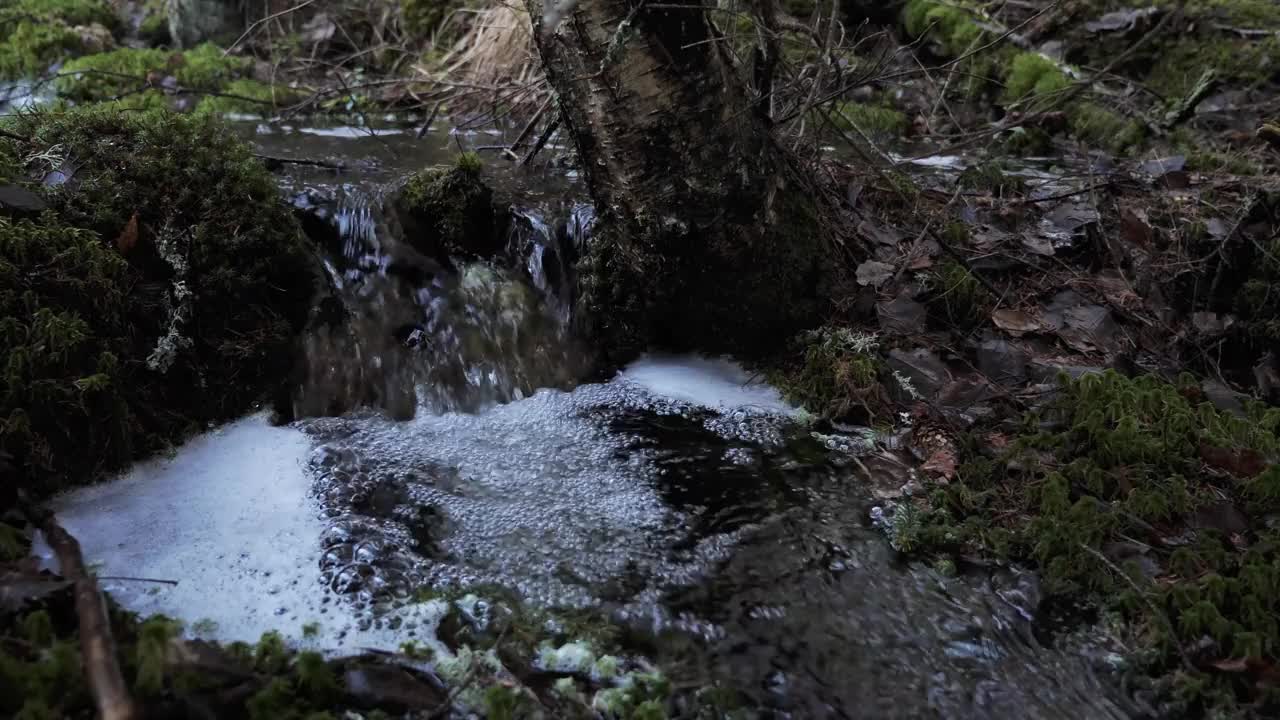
833 372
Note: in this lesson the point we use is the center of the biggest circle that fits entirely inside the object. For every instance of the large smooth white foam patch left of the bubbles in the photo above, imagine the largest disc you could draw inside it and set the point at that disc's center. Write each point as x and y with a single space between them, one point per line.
228 518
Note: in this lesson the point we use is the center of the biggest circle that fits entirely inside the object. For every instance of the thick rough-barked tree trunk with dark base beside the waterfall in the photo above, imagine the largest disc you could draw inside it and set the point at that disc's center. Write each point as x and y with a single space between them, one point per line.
708 234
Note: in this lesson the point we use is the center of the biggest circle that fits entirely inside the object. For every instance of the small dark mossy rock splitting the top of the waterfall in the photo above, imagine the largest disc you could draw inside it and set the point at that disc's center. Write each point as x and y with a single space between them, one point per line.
449 215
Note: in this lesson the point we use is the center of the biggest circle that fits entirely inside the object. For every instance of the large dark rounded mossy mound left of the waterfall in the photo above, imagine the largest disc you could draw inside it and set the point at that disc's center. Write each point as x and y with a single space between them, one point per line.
159 294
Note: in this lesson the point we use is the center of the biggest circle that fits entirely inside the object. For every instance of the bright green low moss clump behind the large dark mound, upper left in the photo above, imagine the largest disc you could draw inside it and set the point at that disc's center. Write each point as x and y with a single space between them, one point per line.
138 76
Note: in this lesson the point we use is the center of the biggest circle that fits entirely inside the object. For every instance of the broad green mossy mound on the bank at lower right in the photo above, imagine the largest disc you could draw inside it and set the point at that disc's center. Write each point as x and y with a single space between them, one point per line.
1141 498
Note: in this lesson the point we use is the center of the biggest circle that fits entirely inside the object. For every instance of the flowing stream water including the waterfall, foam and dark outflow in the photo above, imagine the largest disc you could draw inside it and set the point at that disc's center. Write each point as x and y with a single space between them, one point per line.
464 446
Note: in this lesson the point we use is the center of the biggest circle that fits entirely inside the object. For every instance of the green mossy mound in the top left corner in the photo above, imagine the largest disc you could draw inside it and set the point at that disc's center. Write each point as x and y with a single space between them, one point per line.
36 34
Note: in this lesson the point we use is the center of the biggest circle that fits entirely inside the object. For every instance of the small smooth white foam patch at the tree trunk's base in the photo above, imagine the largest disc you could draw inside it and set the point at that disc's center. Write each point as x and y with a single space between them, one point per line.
707 382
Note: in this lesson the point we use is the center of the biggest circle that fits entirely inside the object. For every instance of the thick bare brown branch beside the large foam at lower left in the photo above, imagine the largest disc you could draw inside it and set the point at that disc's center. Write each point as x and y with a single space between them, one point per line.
98 648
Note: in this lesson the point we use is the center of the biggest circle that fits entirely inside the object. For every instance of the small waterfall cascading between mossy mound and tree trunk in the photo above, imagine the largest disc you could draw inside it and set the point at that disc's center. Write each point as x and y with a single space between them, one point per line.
413 336
